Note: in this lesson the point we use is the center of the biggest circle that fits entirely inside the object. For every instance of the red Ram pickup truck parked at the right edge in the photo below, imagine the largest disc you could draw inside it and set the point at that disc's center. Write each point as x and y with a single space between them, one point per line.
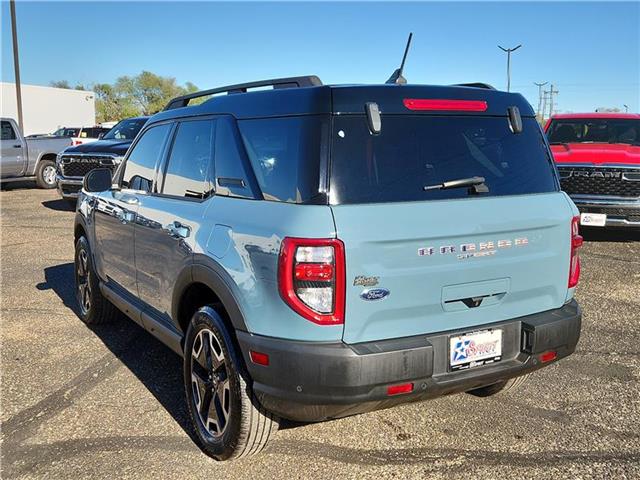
598 157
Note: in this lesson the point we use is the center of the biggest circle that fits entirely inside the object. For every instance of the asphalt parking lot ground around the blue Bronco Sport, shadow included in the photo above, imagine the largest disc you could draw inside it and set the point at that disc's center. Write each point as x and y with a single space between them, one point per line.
108 402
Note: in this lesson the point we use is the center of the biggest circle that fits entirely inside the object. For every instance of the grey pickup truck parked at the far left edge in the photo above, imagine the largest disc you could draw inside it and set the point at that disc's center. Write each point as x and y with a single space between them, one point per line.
26 158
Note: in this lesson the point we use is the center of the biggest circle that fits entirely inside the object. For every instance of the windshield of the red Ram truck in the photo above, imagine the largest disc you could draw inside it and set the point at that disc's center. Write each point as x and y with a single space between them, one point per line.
596 130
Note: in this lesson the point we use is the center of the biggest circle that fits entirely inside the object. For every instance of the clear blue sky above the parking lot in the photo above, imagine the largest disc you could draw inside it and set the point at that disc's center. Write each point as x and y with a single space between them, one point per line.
590 51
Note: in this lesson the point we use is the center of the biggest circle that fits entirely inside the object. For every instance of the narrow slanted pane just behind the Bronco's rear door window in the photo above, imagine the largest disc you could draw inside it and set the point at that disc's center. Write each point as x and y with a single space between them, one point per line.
231 176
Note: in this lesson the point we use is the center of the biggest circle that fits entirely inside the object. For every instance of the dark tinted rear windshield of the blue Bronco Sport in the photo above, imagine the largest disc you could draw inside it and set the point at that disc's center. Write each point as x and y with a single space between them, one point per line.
412 152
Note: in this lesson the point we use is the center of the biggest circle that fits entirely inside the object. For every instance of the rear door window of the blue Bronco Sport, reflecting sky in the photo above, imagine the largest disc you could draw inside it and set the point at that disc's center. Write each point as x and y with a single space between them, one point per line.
189 164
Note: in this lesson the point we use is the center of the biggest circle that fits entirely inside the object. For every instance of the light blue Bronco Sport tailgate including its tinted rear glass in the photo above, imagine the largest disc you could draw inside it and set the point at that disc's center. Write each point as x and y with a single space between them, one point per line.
421 261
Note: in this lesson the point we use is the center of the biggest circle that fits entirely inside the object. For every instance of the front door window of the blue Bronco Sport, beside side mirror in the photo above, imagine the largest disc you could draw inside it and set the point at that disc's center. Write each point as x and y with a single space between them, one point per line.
141 163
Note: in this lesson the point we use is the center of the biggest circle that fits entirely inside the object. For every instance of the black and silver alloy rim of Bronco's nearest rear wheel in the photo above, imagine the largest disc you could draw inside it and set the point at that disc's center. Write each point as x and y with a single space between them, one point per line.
210 383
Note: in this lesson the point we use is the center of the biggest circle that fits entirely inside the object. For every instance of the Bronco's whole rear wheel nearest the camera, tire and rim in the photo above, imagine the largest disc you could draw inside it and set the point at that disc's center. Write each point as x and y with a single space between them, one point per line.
216 385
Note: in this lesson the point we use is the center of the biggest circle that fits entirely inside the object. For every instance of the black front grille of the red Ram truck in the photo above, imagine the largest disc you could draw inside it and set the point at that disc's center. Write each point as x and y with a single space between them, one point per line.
619 182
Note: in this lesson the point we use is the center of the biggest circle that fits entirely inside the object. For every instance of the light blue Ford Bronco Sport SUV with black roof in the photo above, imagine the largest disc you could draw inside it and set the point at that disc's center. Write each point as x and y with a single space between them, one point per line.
312 258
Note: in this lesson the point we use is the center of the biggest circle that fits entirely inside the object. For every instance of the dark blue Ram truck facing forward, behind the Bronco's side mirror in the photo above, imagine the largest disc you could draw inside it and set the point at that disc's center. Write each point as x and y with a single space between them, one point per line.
76 161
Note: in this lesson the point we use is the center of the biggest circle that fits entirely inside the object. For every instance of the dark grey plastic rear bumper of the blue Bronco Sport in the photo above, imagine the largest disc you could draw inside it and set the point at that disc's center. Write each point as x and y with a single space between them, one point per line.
309 381
